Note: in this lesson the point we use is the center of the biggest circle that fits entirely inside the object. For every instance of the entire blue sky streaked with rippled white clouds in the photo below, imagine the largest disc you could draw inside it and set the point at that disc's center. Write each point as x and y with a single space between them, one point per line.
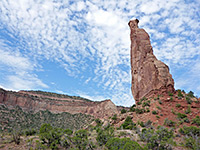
83 47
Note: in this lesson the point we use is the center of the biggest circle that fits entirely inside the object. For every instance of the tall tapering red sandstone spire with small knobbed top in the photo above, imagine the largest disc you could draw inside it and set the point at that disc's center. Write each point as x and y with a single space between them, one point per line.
149 75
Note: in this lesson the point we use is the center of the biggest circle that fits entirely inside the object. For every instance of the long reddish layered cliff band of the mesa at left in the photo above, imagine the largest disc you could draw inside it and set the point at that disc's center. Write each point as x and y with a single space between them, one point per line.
35 102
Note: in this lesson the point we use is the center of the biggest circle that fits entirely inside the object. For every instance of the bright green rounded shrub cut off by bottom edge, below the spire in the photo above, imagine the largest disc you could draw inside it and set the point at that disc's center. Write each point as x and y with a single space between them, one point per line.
122 144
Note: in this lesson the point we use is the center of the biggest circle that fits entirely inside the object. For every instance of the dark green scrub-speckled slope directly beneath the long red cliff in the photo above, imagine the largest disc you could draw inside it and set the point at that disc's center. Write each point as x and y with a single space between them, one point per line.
26 121
